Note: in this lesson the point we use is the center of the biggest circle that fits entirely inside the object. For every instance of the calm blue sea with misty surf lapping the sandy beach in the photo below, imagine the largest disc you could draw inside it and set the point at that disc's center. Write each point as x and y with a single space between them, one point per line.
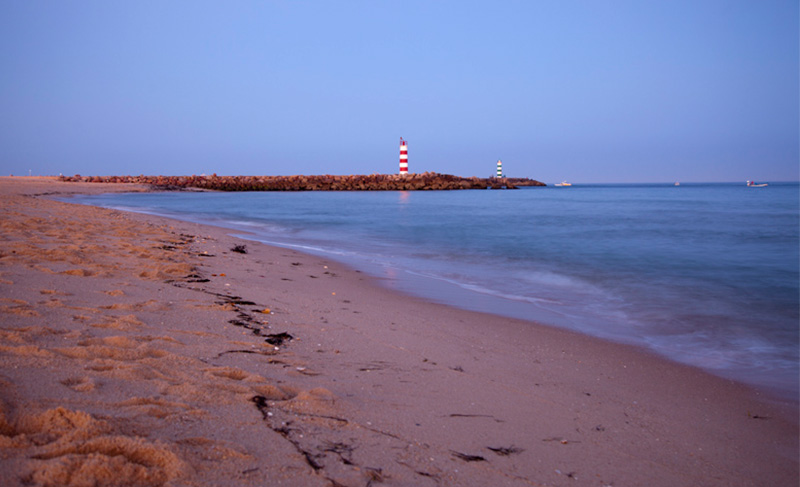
704 274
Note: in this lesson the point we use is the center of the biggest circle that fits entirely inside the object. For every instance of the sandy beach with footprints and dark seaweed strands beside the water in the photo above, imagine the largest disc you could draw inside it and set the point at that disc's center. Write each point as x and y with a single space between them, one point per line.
135 351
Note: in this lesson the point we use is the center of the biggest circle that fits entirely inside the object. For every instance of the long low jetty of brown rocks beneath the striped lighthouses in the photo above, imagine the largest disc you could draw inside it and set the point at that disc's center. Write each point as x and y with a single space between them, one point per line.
372 182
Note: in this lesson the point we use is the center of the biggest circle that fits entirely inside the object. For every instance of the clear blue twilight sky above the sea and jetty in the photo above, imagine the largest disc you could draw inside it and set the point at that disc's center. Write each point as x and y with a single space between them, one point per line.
587 91
